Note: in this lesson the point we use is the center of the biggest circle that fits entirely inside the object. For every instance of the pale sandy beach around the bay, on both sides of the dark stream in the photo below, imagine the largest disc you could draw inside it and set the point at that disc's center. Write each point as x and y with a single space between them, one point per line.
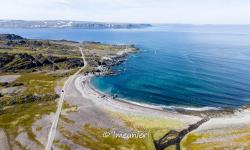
237 119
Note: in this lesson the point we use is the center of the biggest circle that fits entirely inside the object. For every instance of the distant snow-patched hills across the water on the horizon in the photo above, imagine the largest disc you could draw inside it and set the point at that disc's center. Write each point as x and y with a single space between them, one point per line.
68 24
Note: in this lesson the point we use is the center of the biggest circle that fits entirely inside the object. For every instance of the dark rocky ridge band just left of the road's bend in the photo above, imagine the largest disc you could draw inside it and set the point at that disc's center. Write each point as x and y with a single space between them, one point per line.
23 61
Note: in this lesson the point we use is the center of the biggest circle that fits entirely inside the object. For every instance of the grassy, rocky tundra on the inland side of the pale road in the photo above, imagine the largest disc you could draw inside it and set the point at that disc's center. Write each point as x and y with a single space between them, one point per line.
31 75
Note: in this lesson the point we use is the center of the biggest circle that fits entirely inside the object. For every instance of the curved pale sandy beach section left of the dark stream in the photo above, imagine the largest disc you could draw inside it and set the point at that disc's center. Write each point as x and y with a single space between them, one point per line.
107 102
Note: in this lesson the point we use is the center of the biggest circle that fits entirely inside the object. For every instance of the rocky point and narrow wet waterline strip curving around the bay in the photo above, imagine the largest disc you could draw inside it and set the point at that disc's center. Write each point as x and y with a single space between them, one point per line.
106 70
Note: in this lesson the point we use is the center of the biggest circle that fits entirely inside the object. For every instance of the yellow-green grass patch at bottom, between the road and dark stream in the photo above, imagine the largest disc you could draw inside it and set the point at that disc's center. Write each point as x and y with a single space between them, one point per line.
91 137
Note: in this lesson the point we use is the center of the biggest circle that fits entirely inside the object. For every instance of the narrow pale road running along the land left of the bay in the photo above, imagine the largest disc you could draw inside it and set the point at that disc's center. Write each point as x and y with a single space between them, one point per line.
52 132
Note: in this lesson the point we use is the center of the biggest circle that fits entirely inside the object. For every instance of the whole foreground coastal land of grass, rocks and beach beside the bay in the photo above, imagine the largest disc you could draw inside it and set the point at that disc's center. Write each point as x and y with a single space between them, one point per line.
85 109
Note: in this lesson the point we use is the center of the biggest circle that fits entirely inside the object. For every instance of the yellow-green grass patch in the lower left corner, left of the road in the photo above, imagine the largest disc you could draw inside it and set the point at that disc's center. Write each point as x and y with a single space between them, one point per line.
21 117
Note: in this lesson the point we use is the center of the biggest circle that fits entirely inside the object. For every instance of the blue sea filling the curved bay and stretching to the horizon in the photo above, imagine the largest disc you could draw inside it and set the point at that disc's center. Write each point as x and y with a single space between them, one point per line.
176 66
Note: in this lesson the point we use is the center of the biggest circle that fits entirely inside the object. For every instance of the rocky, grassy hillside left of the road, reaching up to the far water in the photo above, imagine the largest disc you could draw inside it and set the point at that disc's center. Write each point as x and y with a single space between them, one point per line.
19 54
